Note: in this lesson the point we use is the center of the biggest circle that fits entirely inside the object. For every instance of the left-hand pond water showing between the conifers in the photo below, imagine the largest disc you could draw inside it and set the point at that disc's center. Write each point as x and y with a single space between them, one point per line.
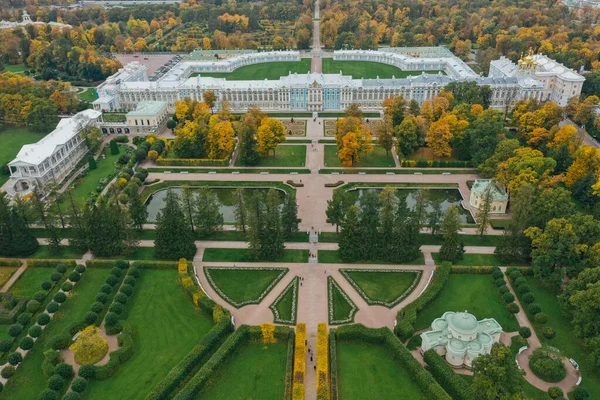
226 197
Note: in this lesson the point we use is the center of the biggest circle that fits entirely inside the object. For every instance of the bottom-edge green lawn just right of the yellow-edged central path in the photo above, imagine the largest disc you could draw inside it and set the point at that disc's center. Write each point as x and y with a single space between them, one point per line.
368 372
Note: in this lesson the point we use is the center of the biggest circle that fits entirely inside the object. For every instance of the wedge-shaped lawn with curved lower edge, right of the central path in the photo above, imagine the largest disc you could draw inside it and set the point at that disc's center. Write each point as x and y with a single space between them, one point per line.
386 286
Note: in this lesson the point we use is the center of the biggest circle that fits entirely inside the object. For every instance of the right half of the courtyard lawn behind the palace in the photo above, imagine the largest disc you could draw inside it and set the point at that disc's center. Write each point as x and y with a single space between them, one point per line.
366 69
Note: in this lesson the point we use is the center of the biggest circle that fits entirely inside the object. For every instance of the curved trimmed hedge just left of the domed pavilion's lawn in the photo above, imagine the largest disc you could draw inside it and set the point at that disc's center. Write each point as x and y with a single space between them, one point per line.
407 316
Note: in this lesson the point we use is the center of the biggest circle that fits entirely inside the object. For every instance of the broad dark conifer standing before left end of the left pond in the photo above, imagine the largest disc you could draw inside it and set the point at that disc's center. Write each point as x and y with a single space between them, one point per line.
174 239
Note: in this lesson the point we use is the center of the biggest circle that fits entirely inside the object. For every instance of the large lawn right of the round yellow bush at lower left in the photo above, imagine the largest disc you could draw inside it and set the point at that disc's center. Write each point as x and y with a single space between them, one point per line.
166 327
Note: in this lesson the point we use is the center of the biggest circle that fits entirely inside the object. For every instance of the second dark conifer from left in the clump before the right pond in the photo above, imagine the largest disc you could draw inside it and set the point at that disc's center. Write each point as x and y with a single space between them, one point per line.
369 224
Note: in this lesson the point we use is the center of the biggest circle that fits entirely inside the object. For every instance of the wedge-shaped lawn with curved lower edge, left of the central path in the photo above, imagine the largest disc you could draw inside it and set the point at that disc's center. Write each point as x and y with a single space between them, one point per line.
244 285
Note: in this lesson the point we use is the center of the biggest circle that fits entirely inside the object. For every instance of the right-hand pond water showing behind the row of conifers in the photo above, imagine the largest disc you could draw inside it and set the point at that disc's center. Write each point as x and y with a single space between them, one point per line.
448 197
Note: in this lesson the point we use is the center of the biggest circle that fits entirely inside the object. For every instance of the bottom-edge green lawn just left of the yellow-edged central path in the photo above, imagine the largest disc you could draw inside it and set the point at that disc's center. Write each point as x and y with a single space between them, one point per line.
254 371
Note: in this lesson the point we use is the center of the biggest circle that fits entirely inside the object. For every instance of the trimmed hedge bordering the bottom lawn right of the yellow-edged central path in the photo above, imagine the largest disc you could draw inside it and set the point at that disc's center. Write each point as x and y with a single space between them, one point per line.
383 336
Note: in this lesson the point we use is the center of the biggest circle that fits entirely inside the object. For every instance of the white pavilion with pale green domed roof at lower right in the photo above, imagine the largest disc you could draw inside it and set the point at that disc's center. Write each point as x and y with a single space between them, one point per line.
460 338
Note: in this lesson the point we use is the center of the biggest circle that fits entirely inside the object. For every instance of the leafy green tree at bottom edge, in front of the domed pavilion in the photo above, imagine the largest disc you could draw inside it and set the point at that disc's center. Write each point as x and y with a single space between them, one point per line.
496 375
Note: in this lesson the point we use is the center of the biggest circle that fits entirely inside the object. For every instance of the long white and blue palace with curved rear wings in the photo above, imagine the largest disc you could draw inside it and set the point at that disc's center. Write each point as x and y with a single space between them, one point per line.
313 92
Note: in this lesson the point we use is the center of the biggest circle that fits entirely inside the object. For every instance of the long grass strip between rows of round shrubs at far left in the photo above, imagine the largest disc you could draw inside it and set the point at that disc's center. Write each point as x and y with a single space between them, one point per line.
29 380
